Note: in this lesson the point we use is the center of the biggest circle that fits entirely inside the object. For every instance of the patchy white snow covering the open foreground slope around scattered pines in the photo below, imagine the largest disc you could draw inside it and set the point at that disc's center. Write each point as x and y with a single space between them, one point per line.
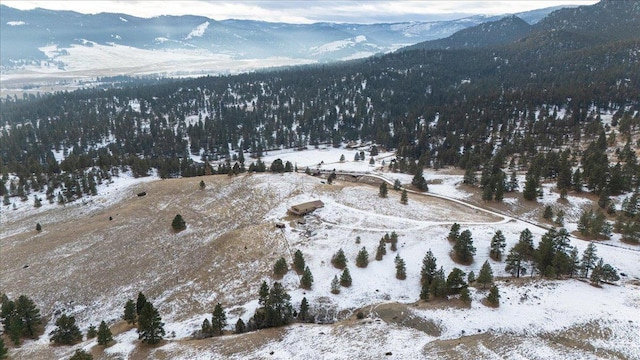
533 318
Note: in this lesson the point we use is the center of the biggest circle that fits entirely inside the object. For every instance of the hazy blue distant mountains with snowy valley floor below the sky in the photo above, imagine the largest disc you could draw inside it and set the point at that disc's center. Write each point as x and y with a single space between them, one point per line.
46 40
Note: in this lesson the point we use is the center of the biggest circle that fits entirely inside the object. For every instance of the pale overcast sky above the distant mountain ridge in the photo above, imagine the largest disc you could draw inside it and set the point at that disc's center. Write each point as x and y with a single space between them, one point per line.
309 11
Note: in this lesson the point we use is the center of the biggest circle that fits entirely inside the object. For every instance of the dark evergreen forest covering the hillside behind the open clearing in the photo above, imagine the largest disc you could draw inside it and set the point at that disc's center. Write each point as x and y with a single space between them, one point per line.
531 103
